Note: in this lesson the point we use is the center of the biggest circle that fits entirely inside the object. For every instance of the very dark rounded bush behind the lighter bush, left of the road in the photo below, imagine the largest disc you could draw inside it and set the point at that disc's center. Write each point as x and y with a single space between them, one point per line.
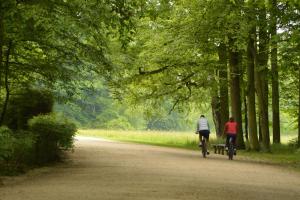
26 104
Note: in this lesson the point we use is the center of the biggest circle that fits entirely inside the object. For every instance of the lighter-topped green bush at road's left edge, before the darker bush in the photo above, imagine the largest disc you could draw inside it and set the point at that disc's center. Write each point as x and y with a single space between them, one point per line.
53 134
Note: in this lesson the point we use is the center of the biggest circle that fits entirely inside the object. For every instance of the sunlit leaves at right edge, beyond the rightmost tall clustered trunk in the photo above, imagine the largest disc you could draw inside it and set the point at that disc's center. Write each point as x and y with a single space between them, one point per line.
289 59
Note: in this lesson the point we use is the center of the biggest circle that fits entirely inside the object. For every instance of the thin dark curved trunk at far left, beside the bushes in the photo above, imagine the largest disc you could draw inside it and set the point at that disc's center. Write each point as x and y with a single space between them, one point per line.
7 93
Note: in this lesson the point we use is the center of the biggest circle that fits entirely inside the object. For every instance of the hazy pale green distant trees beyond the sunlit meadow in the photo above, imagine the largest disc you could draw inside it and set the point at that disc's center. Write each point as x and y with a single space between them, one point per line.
98 109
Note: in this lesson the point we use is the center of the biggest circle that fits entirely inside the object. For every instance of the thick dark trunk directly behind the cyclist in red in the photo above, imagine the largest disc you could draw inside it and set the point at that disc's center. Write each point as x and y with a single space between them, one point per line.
235 93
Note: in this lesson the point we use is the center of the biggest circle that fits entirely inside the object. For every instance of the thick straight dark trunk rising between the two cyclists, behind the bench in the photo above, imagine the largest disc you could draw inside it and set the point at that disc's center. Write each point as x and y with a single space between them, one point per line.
223 85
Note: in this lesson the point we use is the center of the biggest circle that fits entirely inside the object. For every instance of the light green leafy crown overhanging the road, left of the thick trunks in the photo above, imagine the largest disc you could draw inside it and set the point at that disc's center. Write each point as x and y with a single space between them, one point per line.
165 61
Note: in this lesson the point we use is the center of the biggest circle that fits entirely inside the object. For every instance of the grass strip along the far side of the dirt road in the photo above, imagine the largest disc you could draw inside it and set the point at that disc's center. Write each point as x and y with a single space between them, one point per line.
283 155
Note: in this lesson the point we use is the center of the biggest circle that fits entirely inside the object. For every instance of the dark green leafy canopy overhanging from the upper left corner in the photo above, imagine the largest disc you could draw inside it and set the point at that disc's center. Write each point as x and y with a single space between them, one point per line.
58 44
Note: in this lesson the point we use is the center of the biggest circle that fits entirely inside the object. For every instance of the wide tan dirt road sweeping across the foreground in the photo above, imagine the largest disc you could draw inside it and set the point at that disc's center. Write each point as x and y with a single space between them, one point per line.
105 170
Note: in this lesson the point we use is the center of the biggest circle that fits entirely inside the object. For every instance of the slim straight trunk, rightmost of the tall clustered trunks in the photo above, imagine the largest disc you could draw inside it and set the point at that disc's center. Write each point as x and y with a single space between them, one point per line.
274 66
